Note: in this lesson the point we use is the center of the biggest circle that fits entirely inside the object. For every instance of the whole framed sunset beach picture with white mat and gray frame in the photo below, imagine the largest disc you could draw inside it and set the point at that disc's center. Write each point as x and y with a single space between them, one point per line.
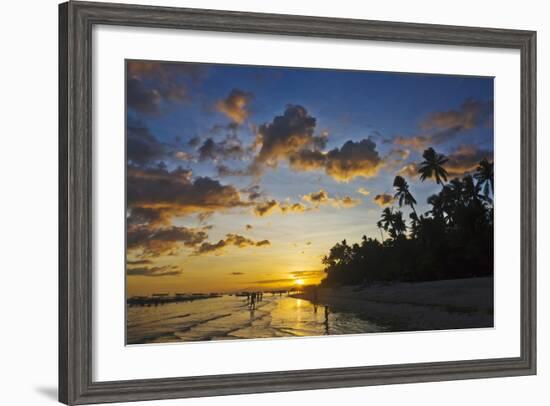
257 202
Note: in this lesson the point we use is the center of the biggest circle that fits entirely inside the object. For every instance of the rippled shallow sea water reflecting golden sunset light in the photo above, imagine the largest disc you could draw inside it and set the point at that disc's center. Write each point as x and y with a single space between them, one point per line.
229 318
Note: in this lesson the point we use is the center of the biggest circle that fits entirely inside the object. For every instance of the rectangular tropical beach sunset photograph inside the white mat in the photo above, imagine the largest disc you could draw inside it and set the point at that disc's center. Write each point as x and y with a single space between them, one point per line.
266 193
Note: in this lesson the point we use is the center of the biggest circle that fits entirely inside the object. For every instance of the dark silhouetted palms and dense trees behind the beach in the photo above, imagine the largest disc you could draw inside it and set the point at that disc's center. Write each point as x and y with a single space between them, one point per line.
454 239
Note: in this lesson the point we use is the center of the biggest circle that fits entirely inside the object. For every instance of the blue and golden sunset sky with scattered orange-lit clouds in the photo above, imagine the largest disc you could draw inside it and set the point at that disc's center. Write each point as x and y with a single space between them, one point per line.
243 177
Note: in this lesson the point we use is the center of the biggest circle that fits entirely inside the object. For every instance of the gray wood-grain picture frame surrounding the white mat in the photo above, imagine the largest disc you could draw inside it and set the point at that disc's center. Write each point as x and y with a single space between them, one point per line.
76 20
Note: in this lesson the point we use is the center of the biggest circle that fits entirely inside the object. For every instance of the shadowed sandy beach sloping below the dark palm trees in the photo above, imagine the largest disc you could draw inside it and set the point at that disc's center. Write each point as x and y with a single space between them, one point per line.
437 305
